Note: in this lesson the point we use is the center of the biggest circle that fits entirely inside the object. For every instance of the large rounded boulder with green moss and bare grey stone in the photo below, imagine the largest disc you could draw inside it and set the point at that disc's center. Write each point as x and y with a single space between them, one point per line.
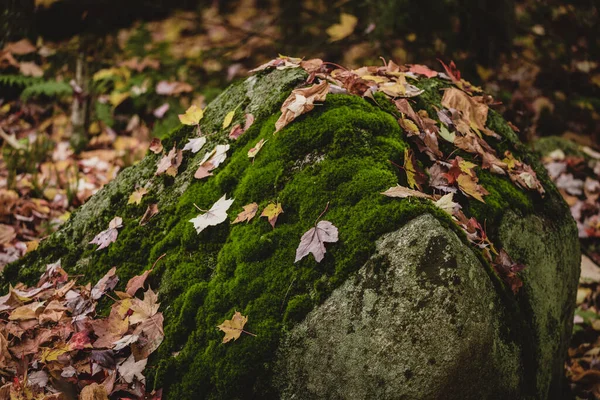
434 302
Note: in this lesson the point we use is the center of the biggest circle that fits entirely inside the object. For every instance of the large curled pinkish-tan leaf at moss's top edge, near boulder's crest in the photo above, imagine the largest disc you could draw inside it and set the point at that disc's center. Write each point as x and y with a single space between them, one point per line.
301 101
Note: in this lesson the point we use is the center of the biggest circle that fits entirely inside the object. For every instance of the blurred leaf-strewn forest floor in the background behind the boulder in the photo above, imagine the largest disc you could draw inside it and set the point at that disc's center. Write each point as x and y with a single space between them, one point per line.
133 84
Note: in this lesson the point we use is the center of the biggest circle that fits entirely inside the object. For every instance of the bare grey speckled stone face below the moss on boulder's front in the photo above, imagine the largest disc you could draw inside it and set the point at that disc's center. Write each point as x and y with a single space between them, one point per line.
420 320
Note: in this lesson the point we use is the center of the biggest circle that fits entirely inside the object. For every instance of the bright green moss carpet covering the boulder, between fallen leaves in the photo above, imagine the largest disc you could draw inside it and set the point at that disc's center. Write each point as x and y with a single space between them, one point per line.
338 154
